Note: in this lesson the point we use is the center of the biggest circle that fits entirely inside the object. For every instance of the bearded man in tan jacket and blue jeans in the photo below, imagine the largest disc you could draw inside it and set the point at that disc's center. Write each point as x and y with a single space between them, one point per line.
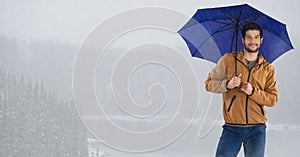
248 84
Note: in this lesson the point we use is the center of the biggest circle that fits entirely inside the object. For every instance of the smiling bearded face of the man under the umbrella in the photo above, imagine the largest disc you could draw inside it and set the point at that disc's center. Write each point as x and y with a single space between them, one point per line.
252 41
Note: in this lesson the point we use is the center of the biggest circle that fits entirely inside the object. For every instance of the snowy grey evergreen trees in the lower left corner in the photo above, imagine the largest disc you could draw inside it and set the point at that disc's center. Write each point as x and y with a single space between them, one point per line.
35 123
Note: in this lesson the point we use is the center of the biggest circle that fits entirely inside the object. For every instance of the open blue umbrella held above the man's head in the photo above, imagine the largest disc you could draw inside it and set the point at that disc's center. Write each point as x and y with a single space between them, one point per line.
212 32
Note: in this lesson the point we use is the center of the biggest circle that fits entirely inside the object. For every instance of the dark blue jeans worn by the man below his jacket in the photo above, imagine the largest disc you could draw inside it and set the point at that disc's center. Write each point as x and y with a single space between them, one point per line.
253 139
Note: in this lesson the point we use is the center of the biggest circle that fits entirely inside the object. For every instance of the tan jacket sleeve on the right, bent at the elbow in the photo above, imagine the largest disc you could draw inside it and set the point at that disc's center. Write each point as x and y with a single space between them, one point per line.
268 96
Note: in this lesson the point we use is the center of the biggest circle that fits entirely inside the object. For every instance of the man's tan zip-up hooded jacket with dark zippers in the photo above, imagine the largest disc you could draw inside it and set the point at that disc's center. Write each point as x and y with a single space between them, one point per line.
239 108
